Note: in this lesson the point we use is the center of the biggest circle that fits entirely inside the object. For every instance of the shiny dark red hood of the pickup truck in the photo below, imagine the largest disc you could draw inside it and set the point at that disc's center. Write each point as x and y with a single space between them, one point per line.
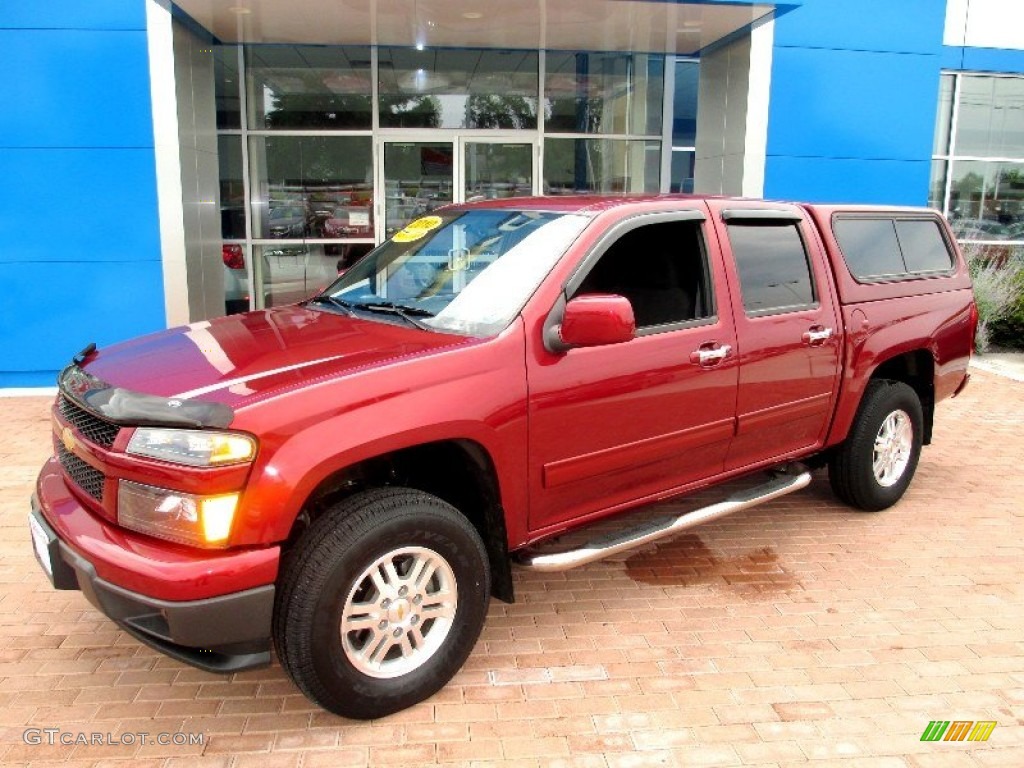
241 359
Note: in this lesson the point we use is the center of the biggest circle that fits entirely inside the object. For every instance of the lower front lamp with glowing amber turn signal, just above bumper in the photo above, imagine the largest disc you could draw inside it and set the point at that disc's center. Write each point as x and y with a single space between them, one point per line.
198 521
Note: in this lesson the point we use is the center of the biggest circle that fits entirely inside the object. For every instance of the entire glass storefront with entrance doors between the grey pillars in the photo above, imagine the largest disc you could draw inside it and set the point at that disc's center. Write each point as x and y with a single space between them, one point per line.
307 137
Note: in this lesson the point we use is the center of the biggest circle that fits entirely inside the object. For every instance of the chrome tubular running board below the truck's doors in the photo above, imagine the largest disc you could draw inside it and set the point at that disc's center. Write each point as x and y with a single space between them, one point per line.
620 541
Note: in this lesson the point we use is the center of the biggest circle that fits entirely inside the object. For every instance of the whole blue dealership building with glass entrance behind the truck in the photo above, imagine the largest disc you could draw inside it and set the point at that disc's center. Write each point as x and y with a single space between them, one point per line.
165 163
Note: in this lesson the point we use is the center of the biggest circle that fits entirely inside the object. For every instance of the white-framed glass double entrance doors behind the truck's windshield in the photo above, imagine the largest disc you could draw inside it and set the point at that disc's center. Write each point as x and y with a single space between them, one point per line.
419 177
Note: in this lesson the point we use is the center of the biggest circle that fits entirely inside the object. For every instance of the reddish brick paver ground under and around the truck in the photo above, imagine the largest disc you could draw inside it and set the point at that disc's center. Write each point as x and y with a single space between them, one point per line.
798 632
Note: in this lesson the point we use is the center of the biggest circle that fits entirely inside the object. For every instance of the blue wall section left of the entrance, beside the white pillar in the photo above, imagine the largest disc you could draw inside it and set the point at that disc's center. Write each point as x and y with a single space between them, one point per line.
80 257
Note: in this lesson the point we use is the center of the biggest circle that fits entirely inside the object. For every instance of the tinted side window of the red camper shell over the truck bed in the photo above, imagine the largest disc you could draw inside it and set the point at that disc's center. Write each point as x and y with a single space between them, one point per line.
887 248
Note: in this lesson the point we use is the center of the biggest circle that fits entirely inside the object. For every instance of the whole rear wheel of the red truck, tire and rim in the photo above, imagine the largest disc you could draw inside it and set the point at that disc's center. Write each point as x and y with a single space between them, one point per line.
852 470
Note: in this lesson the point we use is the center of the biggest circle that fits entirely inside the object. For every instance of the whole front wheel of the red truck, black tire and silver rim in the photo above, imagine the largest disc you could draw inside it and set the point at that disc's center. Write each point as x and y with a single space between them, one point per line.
330 570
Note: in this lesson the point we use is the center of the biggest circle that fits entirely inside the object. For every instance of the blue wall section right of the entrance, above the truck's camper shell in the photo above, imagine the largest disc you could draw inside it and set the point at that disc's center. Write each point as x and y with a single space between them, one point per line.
856 88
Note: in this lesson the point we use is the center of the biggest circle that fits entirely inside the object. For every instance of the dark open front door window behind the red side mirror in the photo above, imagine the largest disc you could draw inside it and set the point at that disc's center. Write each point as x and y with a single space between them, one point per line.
661 269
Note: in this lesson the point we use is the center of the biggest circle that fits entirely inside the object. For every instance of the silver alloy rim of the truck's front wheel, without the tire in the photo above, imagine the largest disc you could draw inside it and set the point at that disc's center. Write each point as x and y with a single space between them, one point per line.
399 613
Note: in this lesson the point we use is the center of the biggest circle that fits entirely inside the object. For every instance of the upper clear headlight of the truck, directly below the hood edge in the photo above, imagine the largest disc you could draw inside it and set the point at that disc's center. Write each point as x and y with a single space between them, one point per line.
193 447
